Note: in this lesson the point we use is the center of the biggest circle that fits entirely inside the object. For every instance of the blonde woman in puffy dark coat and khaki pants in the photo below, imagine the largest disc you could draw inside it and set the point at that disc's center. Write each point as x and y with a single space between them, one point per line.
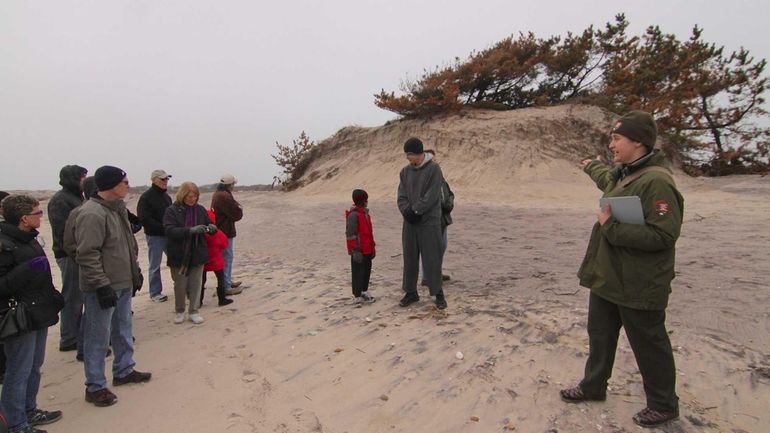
185 223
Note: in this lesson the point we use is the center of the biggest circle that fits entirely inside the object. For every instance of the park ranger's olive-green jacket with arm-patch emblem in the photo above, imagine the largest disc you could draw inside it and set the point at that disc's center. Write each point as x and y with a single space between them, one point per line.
629 264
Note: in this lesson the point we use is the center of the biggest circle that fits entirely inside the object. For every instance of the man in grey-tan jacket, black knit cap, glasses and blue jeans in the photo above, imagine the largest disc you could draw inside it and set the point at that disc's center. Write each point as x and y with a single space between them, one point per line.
109 271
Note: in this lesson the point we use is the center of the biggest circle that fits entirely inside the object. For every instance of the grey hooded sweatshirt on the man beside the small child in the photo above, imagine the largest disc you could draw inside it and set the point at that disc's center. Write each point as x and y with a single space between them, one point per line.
419 188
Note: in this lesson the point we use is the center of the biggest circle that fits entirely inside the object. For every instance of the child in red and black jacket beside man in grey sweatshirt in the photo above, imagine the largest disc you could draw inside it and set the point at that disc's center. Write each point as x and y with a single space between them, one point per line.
360 239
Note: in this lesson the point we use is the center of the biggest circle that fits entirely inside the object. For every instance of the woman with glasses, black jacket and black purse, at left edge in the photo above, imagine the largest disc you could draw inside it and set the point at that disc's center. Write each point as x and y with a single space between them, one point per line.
29 304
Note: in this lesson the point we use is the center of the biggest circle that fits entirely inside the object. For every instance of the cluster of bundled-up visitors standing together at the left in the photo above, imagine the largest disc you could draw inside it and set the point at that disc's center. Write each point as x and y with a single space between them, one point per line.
96 251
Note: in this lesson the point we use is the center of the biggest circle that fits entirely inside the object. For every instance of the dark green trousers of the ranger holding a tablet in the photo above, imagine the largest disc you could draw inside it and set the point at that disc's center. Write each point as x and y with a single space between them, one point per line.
646 333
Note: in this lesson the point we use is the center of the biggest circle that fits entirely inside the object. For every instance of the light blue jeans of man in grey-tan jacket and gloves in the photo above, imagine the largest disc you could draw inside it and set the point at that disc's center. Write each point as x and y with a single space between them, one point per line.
102 327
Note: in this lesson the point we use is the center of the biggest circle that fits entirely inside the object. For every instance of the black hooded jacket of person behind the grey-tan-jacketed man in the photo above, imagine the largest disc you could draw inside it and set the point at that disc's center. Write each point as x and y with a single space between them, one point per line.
63 202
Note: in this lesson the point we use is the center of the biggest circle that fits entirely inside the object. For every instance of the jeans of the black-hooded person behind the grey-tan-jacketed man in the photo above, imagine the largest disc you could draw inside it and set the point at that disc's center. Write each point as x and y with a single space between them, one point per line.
72 313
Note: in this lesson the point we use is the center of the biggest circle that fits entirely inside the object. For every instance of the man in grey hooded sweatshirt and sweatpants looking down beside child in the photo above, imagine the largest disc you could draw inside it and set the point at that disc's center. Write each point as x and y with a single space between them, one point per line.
419 201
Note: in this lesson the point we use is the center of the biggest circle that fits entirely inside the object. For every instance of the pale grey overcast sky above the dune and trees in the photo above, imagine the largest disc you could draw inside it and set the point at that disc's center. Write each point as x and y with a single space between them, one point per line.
202 87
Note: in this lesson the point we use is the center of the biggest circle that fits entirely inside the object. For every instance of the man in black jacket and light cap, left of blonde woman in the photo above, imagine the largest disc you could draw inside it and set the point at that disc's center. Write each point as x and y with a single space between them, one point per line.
150 209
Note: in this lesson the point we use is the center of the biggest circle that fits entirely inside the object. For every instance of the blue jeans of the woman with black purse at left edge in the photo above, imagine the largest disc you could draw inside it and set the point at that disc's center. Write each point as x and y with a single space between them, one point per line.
25 354
